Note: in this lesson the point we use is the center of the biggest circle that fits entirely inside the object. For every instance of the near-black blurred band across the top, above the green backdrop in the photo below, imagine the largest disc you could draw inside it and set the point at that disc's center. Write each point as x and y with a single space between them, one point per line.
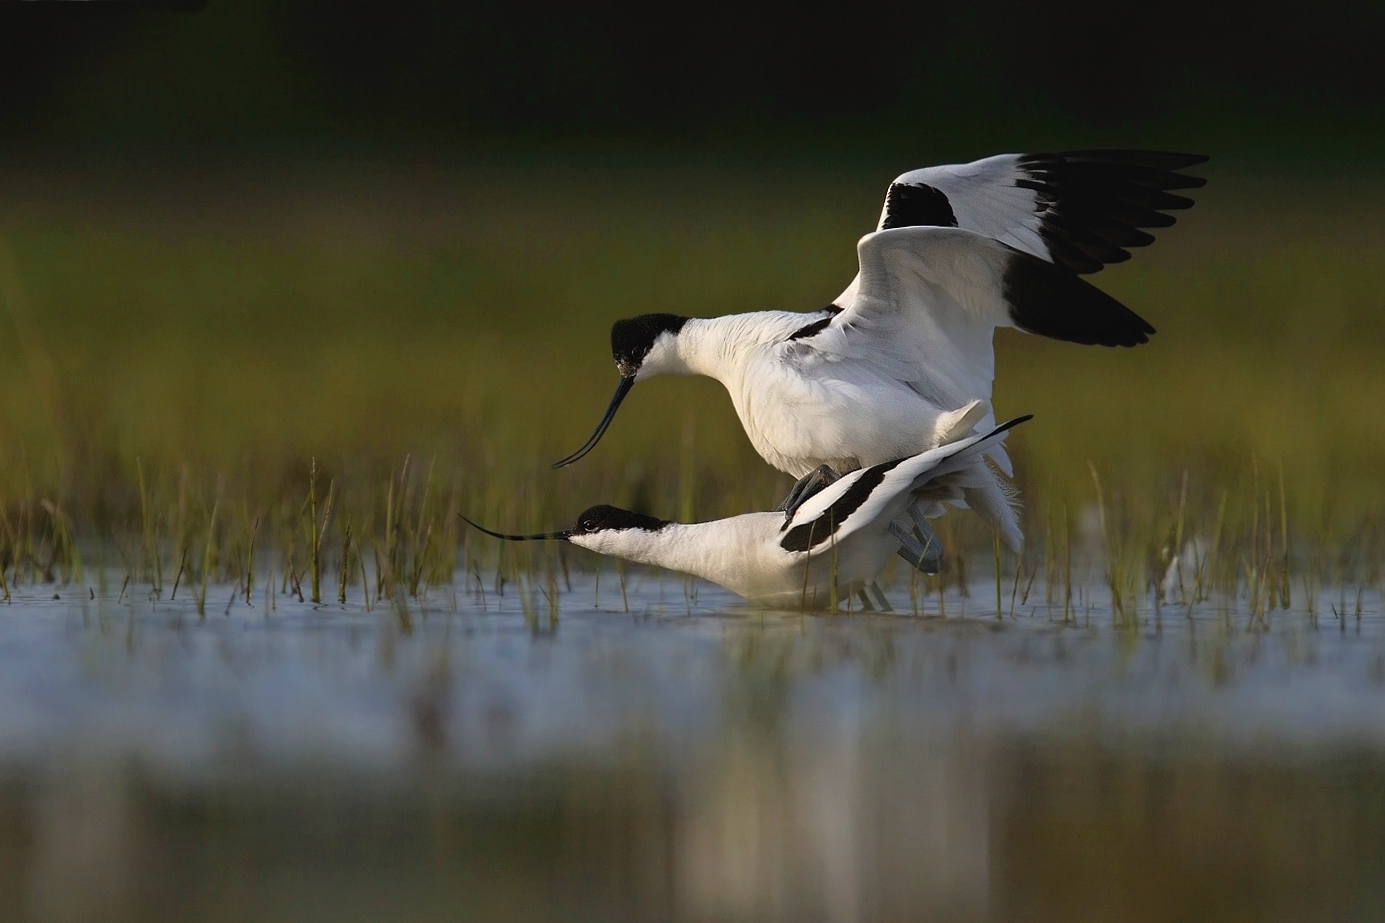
1267 82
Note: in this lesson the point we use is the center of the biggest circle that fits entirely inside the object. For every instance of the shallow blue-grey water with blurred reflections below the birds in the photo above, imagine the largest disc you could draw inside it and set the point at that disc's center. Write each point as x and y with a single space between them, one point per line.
473 759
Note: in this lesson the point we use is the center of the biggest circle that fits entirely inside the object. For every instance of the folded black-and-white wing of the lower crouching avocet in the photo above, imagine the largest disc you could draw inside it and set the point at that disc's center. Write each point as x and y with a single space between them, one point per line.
879 494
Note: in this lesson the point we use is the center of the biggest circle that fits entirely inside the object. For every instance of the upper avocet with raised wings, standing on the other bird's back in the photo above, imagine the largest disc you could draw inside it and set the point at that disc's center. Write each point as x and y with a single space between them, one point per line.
902 361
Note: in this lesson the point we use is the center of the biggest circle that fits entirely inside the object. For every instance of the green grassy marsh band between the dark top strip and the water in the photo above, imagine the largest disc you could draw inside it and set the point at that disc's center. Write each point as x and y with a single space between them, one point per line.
312 375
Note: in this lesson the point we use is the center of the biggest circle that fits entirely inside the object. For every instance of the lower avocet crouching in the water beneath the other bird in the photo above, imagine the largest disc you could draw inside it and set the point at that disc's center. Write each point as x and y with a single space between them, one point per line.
841 534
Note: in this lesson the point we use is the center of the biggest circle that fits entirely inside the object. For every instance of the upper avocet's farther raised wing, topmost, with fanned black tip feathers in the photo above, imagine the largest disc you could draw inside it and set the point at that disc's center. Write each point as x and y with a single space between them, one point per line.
1082 210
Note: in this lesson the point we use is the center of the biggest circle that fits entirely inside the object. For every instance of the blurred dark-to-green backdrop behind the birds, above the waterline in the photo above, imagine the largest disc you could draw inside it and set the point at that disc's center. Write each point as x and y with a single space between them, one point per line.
243 236
